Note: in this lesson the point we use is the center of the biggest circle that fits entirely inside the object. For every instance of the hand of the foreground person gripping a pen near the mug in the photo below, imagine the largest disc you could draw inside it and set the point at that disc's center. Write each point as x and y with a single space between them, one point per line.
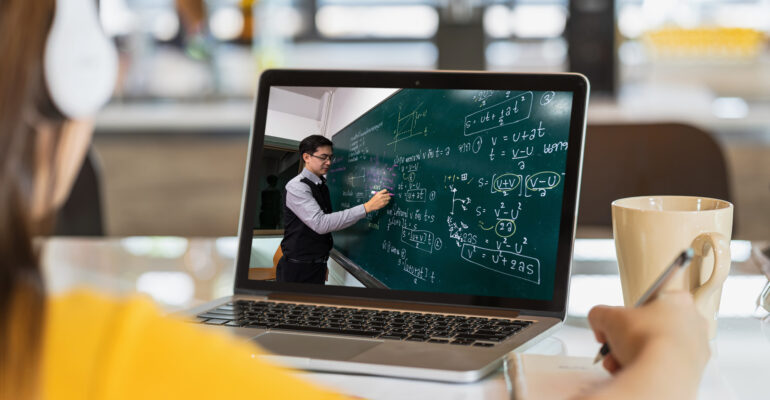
659 350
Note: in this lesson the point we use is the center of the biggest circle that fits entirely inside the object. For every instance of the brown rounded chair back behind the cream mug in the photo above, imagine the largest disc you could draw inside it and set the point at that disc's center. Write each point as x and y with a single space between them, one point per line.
625 160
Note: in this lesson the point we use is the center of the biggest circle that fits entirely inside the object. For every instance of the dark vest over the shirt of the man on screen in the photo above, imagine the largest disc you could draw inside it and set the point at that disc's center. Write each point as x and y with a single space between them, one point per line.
299 241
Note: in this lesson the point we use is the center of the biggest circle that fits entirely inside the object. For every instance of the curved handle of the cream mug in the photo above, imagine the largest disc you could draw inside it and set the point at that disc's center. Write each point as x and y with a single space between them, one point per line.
721 248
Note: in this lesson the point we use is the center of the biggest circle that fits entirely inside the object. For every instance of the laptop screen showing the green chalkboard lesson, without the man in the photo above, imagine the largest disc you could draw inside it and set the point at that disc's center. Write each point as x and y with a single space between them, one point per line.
483 183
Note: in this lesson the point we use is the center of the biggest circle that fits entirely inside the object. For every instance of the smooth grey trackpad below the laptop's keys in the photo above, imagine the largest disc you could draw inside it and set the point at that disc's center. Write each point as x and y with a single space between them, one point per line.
312 346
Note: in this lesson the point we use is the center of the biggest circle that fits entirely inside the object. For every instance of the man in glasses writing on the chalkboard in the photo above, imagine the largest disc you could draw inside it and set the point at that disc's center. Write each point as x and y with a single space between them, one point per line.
308 216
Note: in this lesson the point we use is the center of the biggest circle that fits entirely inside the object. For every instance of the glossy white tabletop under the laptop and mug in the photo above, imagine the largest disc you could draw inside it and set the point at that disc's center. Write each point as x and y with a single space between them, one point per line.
180 273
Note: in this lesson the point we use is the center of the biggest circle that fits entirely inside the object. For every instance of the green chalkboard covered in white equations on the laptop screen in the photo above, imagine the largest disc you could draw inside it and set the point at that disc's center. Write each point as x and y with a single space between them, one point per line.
477 178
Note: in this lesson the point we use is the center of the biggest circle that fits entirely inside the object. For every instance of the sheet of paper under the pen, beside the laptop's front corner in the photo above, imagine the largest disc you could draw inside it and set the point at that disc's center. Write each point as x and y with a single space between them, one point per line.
535 376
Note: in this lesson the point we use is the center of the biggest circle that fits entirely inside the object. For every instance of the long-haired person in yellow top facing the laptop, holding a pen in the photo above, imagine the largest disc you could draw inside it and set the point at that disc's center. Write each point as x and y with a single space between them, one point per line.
86 345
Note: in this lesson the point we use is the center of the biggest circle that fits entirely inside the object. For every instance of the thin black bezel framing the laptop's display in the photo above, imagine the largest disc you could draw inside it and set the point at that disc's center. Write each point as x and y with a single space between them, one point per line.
575 83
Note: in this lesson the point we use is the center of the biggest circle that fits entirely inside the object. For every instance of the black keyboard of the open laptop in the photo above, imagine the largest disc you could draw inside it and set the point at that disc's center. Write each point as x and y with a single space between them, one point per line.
396 325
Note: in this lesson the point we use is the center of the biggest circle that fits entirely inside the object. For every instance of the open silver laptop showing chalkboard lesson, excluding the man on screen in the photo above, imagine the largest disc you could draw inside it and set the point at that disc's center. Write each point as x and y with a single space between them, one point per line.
471 258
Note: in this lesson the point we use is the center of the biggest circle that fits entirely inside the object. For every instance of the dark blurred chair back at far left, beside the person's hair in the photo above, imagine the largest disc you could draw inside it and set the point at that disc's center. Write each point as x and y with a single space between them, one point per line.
81 214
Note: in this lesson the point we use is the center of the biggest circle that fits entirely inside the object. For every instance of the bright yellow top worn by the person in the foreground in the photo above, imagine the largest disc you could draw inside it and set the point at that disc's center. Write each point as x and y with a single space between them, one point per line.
96 347
